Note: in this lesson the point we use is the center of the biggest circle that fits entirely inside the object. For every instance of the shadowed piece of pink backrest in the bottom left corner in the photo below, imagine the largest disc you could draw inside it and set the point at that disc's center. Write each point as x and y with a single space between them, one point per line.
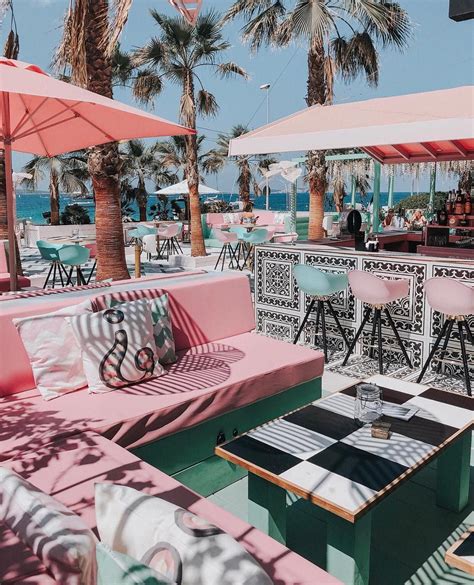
17 560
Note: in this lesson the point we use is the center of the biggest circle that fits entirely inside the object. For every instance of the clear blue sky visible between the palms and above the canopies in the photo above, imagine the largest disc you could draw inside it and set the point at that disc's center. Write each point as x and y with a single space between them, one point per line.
441 55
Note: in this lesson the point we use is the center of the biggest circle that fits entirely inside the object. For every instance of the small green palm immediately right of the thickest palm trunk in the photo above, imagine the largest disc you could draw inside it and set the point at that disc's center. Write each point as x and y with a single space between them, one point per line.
139 162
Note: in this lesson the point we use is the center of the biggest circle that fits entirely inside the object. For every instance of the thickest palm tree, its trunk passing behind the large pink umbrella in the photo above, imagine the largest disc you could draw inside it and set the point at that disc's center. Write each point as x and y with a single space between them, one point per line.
91 33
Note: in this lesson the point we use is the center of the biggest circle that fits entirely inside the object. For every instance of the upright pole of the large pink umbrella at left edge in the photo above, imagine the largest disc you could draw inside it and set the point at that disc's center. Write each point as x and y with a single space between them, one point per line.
9 192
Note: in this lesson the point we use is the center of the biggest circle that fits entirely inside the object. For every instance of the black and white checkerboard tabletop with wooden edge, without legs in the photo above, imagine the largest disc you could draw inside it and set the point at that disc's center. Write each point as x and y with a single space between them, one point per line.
320 453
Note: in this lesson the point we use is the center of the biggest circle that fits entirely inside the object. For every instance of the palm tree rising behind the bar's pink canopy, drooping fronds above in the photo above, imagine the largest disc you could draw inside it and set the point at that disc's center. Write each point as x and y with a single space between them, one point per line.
343 39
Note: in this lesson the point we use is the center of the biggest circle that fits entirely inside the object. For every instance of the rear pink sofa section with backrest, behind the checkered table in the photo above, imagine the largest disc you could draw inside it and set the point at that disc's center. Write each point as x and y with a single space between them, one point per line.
222 367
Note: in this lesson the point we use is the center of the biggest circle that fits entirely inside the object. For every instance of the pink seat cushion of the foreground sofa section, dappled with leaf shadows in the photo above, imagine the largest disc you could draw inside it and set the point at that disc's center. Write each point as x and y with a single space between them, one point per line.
69 468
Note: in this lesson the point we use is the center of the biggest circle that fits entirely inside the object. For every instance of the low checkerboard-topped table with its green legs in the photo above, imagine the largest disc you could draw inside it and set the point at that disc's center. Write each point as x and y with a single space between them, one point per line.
321 454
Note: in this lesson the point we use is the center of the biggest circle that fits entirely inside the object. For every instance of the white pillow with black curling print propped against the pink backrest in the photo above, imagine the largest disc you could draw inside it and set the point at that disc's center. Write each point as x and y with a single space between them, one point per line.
118 347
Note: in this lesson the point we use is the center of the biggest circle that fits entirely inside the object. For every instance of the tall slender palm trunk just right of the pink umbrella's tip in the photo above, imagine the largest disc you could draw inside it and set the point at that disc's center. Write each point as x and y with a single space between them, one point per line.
198 247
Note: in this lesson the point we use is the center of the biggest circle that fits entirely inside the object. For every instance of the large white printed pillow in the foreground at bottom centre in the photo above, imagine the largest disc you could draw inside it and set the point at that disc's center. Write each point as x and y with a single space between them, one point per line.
180 545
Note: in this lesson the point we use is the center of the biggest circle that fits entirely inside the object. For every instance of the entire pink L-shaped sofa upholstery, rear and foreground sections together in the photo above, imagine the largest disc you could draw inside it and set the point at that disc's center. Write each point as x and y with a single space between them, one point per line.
65 445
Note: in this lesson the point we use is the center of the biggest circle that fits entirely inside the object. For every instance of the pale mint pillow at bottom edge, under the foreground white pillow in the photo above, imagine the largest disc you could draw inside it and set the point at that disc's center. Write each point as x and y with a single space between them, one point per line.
119 569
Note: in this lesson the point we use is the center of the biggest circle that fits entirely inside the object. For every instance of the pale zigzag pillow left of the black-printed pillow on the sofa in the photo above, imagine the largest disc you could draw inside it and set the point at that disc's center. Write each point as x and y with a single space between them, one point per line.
54 353
